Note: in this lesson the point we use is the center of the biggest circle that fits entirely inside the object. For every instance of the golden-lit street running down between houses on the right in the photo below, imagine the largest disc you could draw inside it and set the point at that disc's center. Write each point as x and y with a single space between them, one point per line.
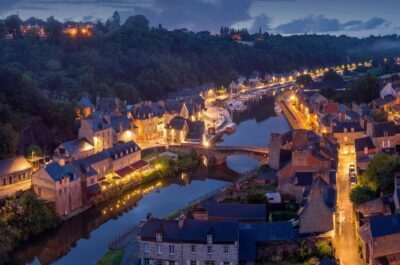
345 228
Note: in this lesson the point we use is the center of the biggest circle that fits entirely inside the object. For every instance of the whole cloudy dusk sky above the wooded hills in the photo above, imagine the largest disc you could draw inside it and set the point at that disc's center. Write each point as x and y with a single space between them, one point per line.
351 17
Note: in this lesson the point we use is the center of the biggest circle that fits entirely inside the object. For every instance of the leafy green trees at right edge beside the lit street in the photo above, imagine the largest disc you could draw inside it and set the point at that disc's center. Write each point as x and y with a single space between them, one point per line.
380 172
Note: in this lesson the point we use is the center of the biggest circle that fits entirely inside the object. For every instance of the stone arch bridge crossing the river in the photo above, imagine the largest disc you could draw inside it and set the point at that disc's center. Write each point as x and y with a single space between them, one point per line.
217 155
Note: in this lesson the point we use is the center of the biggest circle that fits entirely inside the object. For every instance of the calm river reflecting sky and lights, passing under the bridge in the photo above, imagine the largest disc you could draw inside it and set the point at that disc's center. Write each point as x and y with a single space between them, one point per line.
85 238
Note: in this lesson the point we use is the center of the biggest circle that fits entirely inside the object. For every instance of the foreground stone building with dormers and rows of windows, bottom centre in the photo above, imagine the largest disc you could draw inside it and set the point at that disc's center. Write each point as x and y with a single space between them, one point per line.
188 241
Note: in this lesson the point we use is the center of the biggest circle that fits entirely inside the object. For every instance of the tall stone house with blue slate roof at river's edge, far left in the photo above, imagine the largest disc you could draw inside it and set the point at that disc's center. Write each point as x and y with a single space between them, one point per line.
60 185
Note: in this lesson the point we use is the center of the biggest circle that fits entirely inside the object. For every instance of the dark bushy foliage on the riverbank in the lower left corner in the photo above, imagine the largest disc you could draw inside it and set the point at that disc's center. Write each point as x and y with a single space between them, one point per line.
23 217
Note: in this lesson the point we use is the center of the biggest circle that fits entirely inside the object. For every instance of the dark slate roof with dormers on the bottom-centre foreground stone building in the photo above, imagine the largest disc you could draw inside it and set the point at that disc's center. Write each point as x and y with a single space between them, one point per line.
192 230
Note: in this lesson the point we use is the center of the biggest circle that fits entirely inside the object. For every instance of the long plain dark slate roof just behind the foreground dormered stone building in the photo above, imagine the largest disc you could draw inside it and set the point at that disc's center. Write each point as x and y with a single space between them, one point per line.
235 211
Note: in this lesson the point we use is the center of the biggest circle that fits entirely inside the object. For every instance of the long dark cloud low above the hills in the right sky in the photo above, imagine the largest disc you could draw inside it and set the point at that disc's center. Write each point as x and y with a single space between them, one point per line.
321 24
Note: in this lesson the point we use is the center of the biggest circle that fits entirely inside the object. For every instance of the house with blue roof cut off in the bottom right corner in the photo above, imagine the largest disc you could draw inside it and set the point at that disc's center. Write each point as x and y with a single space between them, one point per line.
380 239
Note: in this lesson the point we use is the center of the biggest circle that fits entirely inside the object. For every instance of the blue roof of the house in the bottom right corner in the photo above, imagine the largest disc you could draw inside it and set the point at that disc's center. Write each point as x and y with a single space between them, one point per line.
385 225
